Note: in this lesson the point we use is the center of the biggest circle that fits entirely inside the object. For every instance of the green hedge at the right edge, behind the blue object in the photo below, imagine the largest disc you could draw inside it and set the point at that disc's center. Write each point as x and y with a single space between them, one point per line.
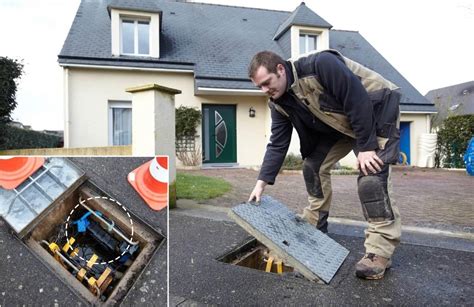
453 138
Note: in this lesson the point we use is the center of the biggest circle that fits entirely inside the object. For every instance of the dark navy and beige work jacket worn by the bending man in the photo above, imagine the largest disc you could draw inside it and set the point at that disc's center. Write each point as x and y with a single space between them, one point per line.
325 100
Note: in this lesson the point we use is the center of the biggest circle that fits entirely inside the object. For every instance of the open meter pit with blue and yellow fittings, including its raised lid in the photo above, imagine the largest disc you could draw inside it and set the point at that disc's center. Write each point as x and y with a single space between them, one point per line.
91 241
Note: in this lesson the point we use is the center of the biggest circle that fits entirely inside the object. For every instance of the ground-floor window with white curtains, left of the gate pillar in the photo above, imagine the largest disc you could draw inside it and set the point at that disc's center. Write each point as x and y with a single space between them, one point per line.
120 123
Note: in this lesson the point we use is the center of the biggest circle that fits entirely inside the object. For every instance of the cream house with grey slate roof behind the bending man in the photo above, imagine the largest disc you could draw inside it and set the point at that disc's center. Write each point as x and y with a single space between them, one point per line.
202 50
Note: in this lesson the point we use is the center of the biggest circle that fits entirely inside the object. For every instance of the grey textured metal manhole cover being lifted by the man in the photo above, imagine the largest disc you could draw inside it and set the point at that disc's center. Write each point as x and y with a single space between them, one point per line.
297 243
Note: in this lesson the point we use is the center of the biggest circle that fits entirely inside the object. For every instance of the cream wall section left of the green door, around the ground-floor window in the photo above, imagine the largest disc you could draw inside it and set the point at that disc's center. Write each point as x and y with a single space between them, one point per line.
90 90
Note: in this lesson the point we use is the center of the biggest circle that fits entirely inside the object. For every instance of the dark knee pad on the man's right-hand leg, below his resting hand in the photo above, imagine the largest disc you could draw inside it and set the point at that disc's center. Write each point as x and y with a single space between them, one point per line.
374 199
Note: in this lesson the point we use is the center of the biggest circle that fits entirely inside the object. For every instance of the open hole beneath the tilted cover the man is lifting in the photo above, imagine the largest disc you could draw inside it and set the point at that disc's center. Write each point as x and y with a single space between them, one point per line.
253 254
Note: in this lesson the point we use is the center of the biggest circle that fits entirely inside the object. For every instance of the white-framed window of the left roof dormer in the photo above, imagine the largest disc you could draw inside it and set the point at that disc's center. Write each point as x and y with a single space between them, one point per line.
135 36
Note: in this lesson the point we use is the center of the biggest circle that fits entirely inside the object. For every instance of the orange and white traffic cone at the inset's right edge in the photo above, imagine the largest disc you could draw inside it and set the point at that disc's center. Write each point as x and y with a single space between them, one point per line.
150 180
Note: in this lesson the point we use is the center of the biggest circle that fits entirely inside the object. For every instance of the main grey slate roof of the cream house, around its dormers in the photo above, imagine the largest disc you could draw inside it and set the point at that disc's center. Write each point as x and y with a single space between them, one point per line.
215 41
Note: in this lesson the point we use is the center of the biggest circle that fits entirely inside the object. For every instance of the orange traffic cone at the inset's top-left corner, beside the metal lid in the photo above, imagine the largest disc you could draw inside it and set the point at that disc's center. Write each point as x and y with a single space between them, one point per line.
13 171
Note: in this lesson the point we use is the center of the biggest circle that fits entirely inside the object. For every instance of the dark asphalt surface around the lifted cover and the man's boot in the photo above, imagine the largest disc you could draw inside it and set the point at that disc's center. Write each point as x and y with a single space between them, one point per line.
420 275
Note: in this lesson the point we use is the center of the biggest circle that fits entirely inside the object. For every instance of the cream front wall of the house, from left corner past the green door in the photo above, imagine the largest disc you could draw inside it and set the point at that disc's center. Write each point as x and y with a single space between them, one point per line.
90 90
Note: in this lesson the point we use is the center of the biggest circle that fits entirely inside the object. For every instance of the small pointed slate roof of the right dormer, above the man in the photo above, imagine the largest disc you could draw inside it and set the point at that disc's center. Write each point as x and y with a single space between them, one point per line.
302 16
